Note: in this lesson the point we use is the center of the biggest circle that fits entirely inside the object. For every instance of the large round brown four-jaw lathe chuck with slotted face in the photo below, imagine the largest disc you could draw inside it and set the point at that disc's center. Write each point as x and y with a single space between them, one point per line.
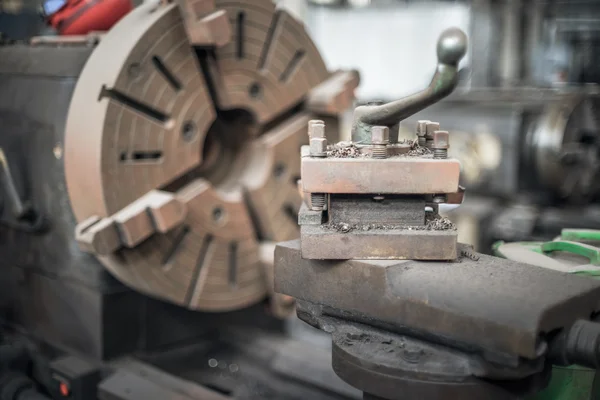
217 131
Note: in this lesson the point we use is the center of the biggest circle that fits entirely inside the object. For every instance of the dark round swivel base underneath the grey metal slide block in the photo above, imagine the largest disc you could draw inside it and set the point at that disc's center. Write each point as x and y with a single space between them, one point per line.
399 367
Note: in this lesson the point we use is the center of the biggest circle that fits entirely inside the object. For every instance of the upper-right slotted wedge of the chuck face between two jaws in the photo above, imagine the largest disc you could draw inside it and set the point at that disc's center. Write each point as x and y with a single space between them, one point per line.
270 65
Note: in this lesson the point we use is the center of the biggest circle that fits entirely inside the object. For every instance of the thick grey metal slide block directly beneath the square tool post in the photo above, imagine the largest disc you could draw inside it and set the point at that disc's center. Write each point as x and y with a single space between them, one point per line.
469 303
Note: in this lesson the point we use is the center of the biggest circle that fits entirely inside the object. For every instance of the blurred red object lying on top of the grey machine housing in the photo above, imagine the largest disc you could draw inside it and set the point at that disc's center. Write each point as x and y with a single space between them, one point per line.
79 17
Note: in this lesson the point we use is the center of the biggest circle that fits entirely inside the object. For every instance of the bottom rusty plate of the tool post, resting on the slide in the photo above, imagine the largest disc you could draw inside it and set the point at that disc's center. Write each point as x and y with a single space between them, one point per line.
323 243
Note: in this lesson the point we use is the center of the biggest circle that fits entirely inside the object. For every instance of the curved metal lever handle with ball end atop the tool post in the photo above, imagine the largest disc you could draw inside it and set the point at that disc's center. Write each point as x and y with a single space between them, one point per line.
451 48
